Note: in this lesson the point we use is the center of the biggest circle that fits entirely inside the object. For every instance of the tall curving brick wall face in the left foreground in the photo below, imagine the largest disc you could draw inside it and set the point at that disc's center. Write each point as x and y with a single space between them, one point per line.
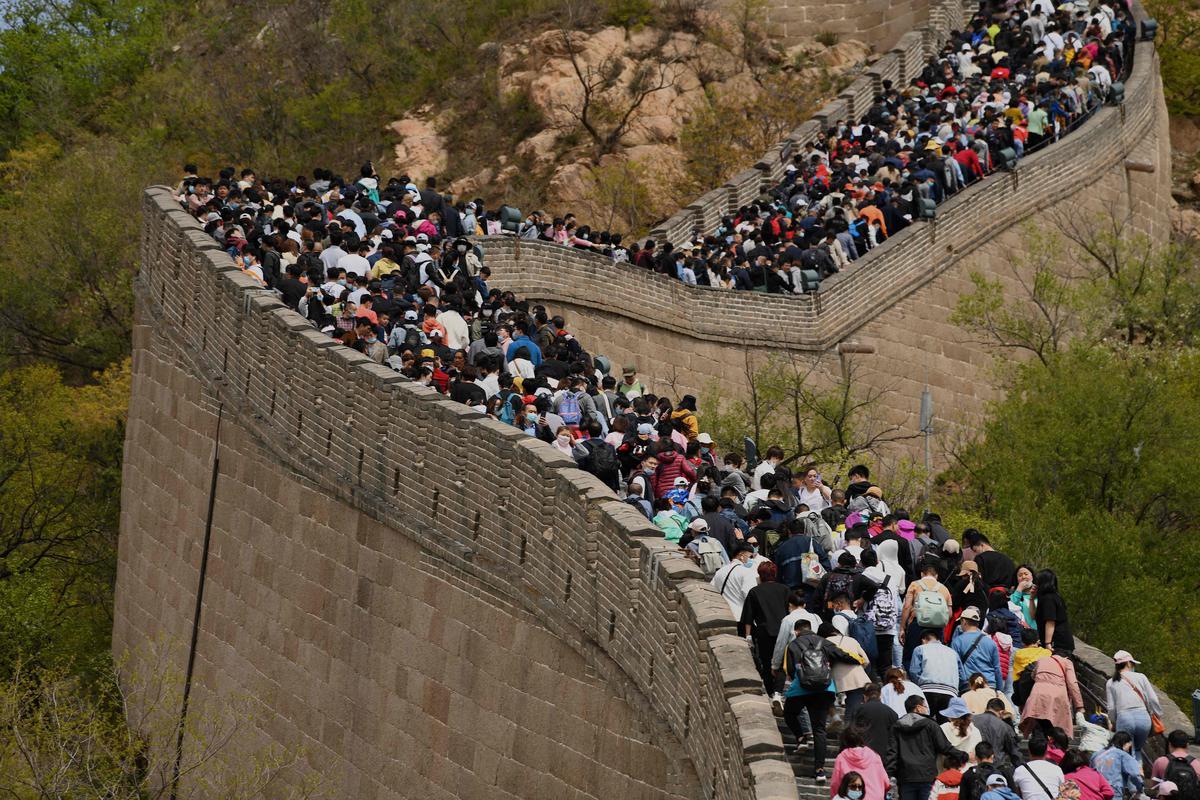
429 604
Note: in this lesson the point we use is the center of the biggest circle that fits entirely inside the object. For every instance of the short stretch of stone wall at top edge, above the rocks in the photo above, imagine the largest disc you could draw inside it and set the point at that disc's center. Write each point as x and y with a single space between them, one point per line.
879 23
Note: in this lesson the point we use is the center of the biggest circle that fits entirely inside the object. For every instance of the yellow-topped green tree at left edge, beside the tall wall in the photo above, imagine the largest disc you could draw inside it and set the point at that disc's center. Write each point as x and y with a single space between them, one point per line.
59 506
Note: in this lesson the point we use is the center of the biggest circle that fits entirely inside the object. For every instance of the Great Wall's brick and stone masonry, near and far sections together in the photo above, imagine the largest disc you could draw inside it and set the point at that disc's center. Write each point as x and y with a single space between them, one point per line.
433 605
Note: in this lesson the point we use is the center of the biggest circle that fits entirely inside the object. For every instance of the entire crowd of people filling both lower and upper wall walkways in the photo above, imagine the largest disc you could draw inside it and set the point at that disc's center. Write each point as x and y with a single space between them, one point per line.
949 664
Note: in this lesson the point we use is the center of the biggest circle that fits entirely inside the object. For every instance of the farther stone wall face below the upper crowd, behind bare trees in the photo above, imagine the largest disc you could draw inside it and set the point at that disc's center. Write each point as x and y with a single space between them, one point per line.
898 299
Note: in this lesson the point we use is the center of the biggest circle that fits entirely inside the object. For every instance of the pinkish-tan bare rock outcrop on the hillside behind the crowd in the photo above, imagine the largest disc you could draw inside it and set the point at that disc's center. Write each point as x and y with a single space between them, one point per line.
565 71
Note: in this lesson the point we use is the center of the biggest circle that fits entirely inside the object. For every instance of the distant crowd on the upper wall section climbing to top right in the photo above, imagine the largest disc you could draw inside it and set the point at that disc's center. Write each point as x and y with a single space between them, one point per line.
1021 76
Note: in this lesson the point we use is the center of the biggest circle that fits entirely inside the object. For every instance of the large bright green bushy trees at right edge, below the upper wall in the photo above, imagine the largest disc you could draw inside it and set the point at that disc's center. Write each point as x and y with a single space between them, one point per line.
1088 465
